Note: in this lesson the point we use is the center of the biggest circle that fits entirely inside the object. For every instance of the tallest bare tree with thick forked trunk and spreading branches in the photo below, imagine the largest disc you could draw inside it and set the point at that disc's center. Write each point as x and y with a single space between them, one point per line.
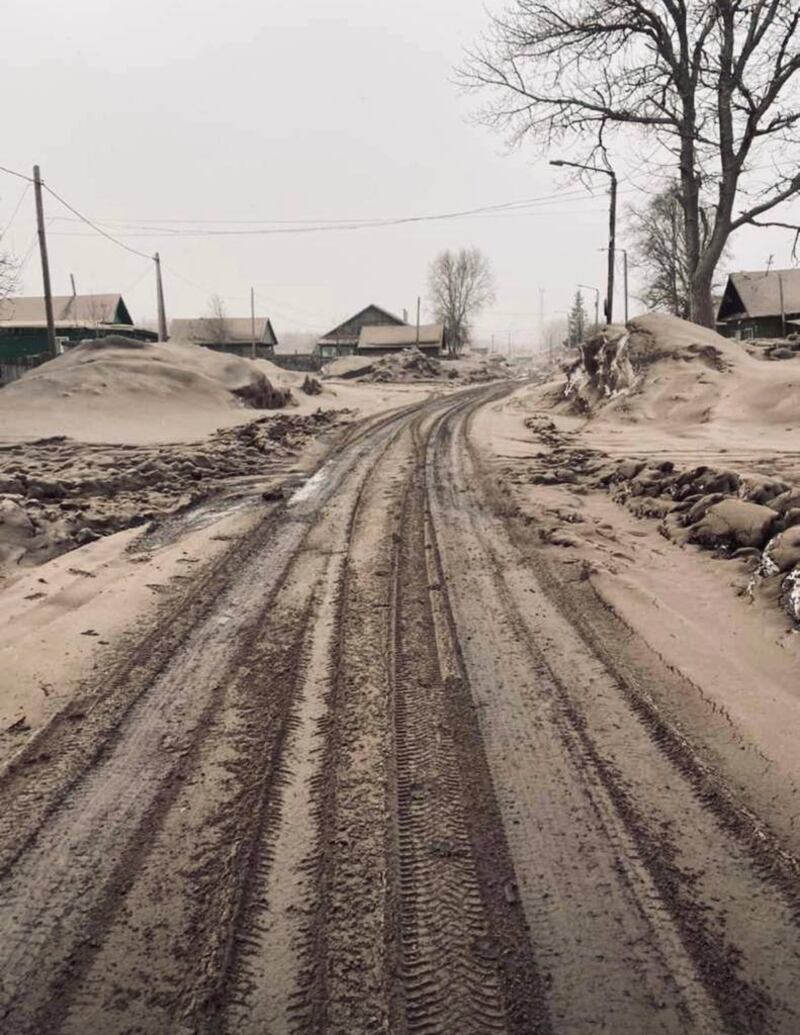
714 83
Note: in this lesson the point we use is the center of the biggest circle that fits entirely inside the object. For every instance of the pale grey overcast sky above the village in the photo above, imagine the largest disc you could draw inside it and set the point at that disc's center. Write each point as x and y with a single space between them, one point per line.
146 114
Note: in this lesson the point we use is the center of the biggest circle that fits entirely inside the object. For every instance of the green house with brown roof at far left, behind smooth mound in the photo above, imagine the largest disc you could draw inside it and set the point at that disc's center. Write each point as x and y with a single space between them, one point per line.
24 327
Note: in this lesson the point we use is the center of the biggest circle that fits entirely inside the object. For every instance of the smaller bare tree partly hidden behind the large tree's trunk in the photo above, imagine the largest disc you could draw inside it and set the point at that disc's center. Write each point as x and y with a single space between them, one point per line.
660 251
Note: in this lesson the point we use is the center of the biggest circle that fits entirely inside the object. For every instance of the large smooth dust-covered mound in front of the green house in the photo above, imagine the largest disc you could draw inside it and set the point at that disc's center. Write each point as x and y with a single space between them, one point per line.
116 390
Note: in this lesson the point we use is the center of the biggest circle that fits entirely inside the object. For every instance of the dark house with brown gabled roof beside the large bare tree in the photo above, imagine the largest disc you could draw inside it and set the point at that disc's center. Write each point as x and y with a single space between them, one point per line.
761 305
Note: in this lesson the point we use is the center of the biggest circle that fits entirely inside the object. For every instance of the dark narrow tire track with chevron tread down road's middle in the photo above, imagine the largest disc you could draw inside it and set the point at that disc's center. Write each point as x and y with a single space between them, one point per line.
450 980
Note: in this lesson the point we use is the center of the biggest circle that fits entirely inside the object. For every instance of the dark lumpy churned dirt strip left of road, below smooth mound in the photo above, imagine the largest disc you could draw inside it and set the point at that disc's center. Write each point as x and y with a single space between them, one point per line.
58 495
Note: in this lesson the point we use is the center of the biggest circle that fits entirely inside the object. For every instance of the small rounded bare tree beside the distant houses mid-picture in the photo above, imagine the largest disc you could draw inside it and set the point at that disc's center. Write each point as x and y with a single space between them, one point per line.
461 284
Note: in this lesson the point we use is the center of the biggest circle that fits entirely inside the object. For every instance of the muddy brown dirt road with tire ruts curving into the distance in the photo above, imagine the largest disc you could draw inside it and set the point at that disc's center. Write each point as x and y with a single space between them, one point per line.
382 773
